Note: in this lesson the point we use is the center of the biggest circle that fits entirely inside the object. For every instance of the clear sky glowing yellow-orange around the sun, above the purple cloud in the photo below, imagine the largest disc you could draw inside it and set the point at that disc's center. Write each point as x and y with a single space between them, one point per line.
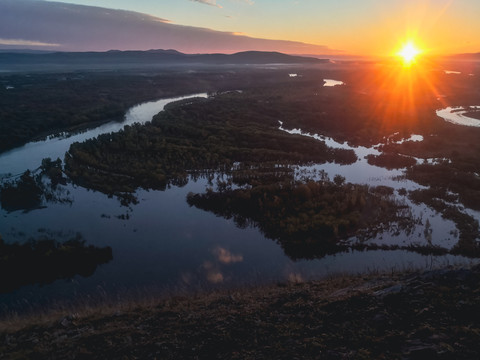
358 27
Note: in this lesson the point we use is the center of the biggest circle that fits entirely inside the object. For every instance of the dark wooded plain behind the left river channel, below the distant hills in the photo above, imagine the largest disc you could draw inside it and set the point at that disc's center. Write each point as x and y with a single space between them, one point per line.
40 104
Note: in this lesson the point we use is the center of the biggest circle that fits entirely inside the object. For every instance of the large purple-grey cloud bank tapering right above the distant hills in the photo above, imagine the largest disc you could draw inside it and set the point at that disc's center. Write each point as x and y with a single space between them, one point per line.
68 27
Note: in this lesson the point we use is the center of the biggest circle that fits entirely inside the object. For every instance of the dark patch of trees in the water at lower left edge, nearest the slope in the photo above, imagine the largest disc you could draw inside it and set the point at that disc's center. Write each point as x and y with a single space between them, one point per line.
45 260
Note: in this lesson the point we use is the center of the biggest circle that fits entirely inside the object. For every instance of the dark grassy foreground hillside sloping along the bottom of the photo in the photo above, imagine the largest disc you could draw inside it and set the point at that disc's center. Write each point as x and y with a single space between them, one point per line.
428 315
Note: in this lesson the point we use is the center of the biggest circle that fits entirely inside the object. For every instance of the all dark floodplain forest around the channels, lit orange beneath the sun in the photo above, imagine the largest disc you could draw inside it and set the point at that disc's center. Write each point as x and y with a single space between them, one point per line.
235 132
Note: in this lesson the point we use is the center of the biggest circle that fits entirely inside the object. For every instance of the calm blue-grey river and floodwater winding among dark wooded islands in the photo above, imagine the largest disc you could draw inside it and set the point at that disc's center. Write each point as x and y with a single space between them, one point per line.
165 245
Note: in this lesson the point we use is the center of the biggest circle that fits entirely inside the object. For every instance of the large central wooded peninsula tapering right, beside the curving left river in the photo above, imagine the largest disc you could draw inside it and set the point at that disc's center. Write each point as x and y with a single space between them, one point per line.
198 136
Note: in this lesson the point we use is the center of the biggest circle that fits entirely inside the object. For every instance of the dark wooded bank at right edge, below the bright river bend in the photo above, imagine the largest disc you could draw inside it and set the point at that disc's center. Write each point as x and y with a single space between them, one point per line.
451 181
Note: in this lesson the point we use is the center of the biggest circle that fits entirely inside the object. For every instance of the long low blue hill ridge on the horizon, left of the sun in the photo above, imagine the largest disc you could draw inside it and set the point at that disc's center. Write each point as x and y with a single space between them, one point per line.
113 58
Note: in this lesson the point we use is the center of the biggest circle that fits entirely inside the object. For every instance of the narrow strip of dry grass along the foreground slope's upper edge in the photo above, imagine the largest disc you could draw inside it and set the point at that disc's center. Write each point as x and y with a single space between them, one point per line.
333 287
